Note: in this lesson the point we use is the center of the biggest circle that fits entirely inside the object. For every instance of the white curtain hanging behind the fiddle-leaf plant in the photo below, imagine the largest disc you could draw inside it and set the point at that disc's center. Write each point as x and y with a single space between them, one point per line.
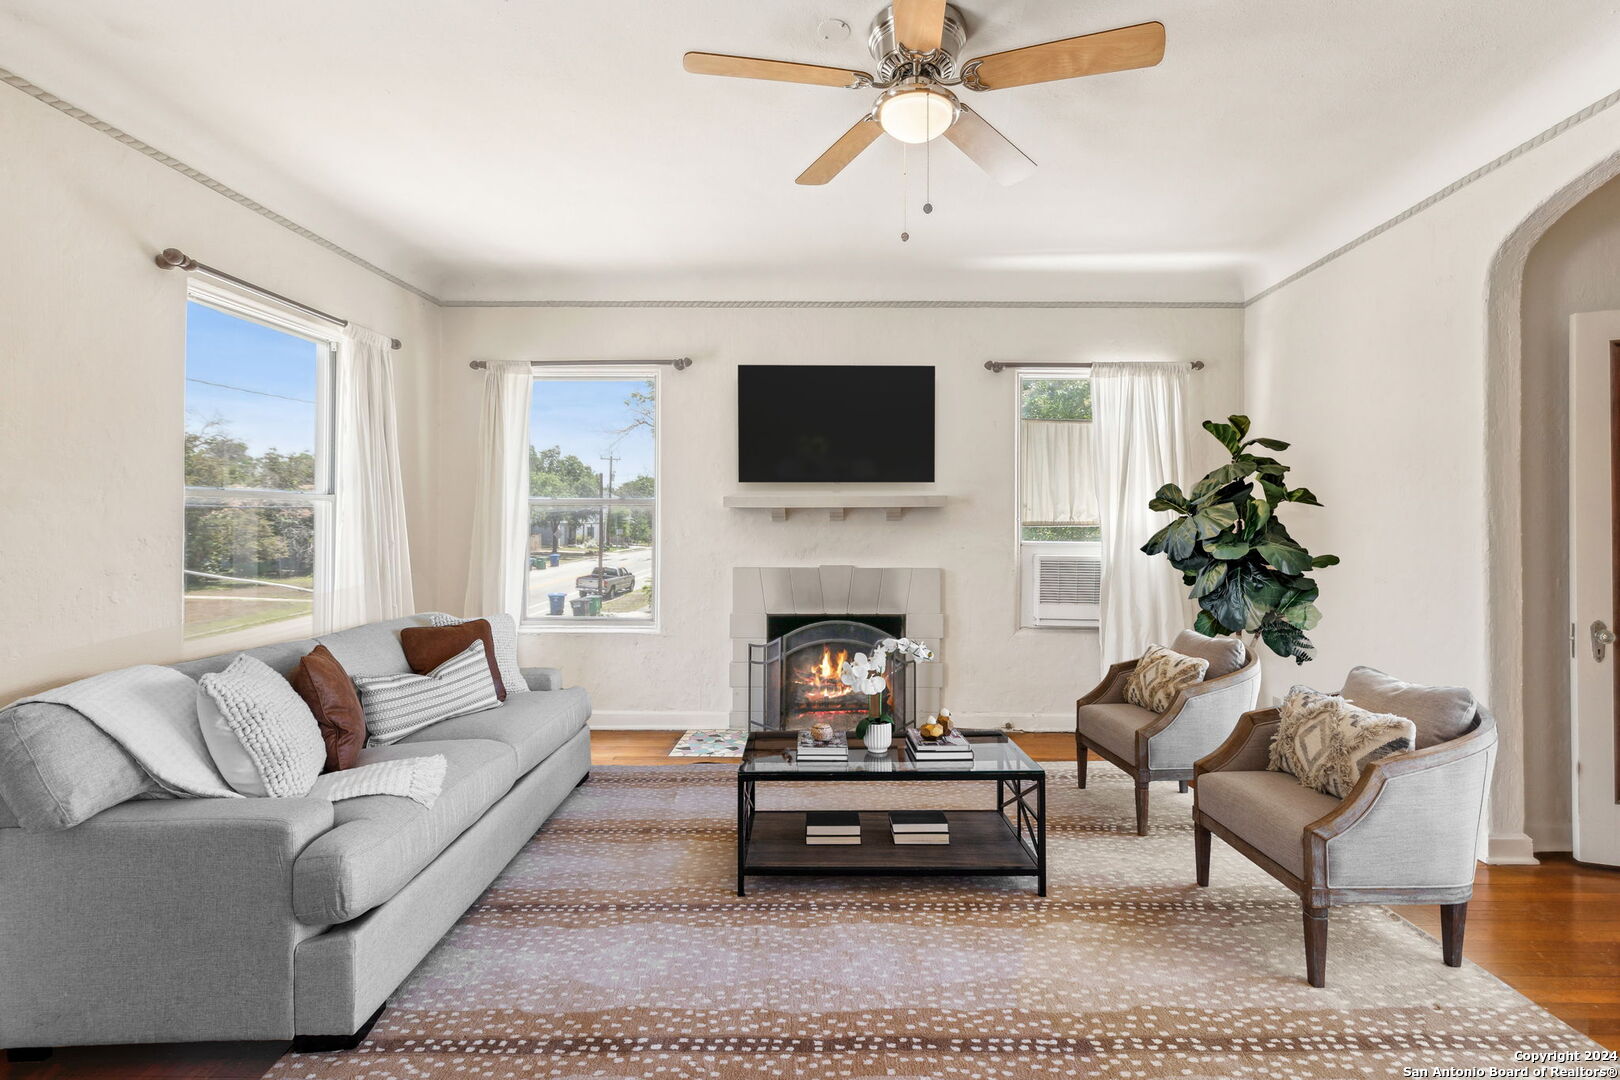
1141 444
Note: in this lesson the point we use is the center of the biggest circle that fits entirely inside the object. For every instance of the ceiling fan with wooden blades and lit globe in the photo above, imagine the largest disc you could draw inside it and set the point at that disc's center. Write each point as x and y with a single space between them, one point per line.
916 45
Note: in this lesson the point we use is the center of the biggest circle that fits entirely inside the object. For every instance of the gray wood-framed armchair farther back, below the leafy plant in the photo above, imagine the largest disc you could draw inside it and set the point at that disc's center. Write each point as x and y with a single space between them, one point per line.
1164 746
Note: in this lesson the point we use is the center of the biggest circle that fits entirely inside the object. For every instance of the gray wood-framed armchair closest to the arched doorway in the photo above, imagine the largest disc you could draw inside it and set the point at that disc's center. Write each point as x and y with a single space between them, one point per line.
1405 835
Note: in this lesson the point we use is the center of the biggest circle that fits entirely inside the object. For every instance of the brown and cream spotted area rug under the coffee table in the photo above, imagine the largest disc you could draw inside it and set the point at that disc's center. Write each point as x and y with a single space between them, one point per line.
616 946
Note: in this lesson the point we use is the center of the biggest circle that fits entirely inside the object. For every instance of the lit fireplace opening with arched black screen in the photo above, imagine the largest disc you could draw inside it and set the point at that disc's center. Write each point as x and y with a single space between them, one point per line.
796 673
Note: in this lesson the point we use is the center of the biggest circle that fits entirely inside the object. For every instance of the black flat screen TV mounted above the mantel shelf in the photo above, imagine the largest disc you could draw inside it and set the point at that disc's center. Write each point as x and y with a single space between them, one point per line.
835 423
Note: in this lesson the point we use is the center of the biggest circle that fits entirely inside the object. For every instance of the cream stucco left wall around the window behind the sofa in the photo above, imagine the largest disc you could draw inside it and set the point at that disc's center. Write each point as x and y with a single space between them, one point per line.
93 391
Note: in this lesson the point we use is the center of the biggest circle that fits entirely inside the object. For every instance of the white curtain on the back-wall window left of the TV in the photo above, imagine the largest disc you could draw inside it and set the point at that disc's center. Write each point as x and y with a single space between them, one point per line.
495 574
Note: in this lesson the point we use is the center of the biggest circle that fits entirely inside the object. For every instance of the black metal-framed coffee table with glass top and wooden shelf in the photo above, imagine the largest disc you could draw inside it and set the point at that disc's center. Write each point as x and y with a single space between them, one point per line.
1005 843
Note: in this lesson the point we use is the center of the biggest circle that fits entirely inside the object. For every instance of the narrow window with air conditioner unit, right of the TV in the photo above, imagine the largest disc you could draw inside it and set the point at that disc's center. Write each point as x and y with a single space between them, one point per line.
1059 527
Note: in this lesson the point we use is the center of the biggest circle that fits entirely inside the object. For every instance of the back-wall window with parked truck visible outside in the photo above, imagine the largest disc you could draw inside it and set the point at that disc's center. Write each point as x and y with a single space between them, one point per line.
594 501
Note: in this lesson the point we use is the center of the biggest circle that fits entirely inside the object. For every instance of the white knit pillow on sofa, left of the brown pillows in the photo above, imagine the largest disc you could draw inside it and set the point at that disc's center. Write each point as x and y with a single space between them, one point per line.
260 733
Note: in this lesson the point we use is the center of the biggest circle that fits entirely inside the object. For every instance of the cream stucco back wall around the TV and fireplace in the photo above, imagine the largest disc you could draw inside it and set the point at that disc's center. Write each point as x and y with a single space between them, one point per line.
680 678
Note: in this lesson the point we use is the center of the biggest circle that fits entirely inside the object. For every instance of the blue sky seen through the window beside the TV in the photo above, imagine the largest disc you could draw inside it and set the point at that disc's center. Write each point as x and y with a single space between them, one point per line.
584 417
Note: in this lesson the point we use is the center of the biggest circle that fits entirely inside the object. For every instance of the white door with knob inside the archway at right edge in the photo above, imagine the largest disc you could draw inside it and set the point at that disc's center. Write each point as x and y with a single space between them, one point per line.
1595 561
